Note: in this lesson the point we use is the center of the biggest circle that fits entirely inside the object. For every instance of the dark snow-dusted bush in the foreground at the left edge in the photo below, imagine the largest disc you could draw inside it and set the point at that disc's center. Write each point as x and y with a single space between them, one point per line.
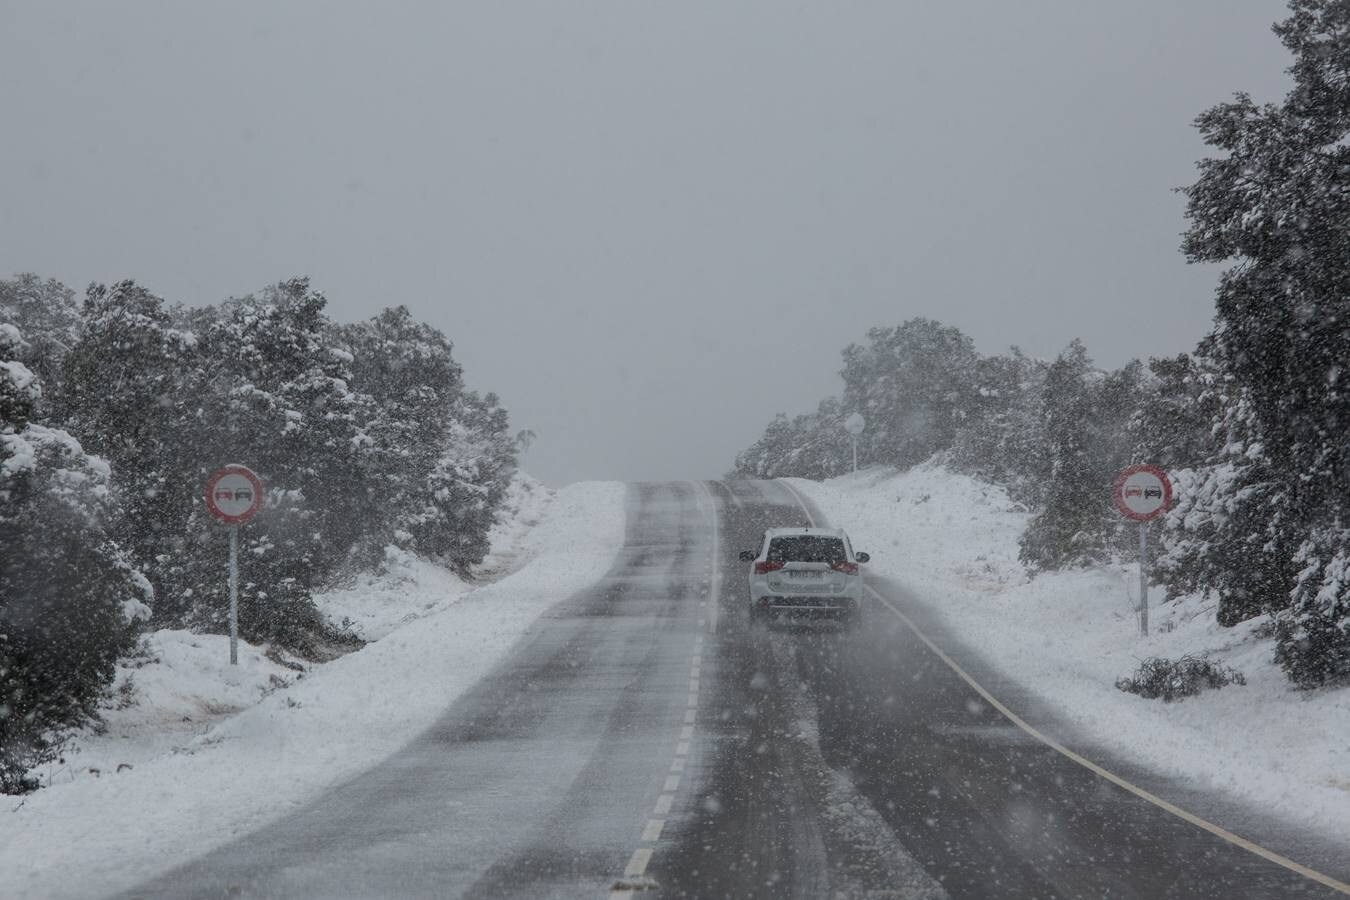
70 597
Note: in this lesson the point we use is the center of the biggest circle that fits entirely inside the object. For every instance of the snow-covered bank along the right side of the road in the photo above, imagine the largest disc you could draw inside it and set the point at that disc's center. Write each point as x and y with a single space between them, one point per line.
1066 638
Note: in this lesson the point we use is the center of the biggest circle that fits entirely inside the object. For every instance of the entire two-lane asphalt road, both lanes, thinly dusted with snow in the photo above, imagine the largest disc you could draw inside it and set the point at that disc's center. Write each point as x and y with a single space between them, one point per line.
647 740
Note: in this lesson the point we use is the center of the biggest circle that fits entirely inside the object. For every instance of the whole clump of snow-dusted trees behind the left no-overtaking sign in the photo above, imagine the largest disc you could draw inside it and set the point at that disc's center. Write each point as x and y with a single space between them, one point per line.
362 434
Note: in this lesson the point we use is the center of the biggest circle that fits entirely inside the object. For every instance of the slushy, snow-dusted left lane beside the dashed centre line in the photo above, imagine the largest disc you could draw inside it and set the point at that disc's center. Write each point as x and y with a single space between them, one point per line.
539 781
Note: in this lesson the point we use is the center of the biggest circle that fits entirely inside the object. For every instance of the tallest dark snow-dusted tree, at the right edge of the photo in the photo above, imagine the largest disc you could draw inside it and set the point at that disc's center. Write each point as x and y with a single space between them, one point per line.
1276 206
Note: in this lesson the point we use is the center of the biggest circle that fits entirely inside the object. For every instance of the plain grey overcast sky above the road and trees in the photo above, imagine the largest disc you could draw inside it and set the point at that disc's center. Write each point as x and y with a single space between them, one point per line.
649 227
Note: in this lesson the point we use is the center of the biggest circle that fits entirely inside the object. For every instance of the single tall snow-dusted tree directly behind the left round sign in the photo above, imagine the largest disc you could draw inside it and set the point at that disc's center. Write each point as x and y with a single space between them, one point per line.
276 399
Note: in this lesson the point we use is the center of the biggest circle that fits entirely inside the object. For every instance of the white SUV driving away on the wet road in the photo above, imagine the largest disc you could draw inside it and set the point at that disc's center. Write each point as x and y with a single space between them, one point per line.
805 571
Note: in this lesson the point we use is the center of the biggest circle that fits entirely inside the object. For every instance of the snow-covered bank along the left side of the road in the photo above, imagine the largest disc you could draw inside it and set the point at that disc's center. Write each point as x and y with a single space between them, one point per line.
245 763
